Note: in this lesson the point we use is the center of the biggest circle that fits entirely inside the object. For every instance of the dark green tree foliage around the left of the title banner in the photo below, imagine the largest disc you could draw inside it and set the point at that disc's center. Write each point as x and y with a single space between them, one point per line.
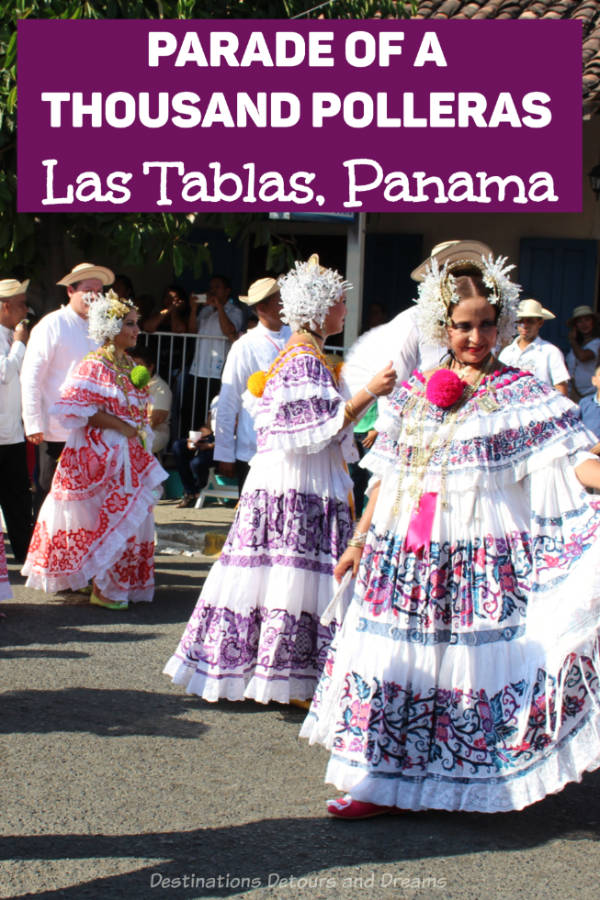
27 241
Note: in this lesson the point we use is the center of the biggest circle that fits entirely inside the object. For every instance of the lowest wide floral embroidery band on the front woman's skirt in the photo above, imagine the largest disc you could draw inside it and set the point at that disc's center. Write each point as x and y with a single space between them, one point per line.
459 733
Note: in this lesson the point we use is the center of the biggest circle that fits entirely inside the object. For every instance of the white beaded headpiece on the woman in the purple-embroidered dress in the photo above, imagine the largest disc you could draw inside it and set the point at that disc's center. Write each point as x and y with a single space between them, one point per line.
307 292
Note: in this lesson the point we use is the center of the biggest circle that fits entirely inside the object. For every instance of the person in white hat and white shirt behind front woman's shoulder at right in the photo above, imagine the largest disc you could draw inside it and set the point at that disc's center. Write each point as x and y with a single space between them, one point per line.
529 353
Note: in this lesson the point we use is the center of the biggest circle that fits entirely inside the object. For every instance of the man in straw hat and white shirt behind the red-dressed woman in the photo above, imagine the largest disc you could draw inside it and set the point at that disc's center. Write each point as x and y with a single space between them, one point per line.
58 342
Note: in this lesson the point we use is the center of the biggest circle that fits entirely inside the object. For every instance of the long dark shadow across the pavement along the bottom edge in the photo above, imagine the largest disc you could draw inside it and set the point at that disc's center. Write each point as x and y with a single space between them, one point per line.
265 853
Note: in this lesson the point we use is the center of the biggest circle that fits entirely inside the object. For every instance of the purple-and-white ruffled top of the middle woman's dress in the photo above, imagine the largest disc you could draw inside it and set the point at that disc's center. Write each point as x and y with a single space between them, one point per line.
301 409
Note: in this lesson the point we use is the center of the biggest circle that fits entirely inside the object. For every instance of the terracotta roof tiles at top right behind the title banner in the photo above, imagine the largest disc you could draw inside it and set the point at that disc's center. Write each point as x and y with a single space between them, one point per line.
586 11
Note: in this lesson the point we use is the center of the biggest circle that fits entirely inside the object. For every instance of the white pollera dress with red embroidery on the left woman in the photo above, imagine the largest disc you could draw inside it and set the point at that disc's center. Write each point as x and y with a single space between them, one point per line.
97 521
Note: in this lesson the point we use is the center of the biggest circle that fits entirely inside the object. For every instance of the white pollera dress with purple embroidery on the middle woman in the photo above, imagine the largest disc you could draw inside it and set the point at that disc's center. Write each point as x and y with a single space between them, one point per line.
255 630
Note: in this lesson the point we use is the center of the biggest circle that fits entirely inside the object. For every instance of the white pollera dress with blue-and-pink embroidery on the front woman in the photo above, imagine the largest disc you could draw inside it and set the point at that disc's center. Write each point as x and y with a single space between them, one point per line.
465 675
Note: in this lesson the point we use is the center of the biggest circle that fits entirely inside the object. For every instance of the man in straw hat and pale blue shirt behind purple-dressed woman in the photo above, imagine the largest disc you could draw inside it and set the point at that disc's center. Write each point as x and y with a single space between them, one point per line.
254 351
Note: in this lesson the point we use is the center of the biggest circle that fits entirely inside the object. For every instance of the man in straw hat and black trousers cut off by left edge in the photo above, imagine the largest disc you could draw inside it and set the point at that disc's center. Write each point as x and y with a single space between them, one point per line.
15 497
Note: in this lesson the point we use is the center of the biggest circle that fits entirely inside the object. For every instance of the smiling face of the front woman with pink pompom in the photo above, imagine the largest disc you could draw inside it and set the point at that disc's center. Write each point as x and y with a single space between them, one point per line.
472 332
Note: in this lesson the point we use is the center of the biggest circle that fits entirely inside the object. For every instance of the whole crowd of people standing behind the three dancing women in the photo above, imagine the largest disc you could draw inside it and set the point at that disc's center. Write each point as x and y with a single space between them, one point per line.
199 348
